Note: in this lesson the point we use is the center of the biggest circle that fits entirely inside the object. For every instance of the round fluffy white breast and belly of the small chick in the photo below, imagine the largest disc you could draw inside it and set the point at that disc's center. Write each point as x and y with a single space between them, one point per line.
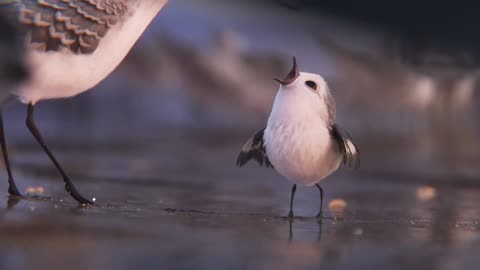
298 142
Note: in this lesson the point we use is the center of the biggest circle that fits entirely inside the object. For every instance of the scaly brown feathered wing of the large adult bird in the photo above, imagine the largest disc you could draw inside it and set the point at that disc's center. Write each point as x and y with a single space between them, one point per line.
75 25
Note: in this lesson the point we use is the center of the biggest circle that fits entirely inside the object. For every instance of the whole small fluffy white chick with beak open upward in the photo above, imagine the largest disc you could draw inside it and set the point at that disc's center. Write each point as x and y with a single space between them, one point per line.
302 141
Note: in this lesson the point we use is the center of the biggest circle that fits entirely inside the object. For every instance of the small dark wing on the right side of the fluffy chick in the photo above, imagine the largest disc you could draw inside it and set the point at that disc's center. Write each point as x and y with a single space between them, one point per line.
350 153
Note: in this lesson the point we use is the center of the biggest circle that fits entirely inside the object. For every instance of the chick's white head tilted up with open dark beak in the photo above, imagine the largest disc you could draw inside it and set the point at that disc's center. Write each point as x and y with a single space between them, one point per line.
306 92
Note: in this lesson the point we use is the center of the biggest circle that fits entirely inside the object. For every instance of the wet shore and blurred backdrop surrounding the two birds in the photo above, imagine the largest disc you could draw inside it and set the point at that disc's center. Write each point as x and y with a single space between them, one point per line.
158 139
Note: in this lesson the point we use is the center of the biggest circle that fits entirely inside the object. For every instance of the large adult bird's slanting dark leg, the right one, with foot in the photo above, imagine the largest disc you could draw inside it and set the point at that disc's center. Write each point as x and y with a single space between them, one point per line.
36 133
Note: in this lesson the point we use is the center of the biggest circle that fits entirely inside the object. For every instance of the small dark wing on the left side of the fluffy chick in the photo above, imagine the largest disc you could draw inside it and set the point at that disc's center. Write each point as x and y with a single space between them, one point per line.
254 149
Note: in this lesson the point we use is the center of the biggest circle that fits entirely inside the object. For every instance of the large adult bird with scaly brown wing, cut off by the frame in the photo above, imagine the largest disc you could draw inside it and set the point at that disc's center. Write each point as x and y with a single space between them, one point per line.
70 46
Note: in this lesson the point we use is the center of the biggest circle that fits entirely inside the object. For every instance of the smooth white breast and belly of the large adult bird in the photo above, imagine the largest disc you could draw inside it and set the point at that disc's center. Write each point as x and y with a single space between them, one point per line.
63 74
